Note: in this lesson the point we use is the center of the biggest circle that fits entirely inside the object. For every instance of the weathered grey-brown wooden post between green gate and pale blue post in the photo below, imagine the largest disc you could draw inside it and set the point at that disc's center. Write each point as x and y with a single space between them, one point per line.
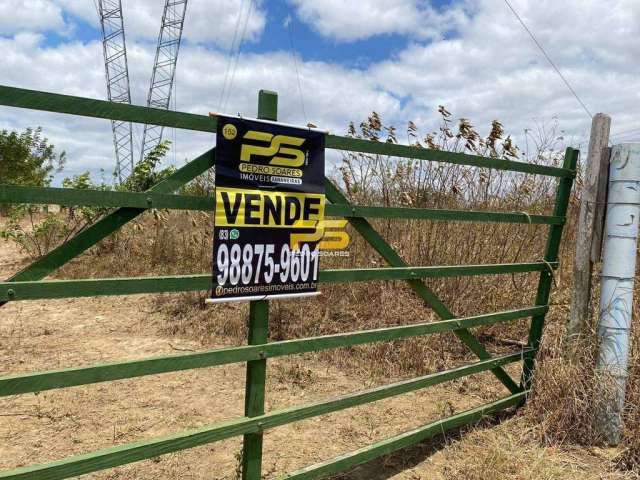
587 234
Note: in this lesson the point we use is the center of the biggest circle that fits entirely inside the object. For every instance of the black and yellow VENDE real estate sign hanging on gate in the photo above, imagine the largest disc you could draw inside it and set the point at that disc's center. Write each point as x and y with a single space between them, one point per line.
269 210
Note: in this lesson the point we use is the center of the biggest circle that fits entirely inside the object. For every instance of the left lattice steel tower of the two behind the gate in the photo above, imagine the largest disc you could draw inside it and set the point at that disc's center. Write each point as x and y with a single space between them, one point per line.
117 73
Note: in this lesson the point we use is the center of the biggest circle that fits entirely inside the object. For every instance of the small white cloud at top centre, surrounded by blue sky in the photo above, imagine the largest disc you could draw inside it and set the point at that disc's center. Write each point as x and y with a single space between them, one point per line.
349 21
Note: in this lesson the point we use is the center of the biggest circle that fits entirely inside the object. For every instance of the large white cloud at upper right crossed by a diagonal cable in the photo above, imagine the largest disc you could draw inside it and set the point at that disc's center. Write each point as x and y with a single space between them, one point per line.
492 69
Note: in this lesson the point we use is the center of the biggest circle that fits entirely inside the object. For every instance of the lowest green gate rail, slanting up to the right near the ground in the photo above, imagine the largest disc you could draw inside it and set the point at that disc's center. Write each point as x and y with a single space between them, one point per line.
390 445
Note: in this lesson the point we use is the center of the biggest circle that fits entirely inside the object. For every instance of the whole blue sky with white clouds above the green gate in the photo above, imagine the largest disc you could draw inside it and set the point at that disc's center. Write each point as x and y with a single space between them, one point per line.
401 58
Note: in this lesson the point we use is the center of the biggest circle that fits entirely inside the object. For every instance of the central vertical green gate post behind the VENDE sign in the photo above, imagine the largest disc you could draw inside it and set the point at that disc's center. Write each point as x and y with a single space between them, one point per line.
258 334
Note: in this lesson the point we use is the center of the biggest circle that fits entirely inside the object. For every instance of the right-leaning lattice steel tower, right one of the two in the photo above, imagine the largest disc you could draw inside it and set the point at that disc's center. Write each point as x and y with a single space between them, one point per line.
164 68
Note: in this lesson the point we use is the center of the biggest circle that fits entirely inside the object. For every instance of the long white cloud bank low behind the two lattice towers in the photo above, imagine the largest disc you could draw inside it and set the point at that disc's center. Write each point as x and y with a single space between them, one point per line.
77 69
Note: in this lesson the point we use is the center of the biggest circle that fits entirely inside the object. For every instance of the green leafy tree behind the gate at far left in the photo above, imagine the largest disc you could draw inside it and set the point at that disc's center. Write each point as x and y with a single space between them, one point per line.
28 158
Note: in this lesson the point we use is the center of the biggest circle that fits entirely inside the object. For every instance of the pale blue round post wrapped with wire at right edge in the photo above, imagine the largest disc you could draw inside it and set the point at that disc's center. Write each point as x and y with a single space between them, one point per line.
618 274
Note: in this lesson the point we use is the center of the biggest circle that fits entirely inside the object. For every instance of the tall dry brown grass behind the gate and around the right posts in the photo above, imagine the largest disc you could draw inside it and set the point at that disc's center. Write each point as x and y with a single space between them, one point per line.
560 412
